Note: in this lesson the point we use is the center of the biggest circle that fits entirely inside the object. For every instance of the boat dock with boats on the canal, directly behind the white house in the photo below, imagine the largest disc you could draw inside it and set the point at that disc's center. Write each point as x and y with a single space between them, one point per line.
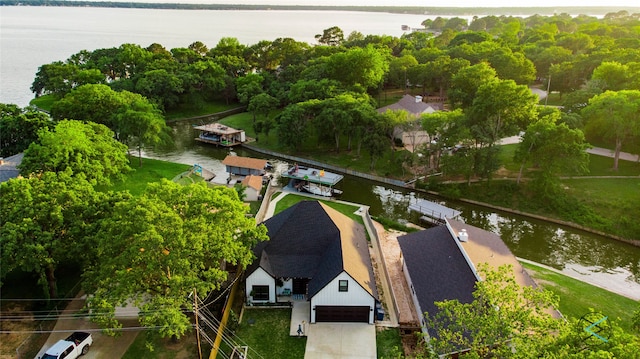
313 180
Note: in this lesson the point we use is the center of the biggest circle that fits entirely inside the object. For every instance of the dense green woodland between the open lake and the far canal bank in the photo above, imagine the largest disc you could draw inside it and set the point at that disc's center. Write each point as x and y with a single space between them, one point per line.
327 91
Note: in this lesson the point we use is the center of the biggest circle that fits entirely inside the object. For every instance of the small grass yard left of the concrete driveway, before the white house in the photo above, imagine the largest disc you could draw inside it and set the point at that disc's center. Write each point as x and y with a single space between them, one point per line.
268 336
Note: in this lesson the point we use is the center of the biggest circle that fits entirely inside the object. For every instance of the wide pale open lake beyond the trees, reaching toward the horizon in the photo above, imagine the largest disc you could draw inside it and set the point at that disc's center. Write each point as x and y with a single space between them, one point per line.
33 36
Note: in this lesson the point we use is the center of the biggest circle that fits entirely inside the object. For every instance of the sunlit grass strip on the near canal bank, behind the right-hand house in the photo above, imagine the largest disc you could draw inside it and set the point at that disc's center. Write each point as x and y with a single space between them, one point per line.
577 297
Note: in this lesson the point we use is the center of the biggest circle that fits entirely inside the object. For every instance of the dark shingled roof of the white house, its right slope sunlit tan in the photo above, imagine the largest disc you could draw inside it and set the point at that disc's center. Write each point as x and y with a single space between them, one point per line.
312 240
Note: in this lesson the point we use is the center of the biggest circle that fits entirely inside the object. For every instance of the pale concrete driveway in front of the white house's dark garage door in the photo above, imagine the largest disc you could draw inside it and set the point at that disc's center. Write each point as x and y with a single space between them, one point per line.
341 341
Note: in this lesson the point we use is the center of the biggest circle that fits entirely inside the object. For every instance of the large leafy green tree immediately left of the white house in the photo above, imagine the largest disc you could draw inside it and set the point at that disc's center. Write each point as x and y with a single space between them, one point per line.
158 248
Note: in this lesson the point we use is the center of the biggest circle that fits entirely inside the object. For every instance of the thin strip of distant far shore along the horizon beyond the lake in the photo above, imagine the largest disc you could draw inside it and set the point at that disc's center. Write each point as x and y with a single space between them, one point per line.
423 10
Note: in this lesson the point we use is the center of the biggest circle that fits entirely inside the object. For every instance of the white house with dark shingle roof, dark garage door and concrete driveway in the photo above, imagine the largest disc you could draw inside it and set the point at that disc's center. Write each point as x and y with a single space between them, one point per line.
318 254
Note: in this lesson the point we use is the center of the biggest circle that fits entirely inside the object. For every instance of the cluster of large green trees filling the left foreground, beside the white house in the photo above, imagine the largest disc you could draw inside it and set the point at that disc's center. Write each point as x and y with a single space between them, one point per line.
153 250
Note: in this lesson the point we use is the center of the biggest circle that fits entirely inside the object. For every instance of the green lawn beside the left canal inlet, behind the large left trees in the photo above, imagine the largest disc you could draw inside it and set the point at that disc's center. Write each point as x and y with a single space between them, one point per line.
151 171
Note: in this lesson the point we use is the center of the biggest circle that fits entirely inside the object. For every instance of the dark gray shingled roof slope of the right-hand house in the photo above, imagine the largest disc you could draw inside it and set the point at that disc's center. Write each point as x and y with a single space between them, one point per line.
437 267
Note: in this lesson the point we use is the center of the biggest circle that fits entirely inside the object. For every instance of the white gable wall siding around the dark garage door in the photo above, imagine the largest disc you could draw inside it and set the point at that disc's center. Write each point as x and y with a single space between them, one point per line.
355 296
